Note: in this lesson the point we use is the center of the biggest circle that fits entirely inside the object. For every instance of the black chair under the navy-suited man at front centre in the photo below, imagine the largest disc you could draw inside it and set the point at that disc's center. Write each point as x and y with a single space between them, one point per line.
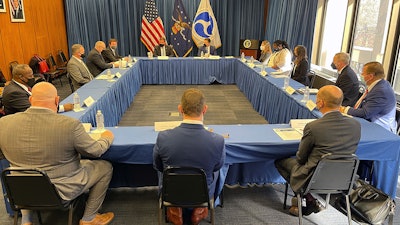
184 187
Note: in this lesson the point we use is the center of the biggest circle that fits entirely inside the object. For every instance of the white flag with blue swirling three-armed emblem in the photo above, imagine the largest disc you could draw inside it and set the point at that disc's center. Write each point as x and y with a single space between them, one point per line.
205 25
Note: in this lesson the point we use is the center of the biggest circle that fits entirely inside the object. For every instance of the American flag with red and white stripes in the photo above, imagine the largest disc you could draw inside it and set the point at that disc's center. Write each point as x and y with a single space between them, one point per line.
152 26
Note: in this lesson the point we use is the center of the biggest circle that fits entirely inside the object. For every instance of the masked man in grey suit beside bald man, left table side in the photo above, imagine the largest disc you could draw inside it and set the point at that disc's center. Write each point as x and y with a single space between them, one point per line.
77 69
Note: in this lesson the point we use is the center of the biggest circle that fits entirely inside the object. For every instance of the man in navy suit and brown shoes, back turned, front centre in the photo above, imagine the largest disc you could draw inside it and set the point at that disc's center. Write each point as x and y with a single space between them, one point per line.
190 144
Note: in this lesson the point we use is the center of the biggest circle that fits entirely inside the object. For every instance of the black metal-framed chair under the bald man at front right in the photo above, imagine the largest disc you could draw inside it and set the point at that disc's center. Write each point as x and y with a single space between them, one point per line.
334 174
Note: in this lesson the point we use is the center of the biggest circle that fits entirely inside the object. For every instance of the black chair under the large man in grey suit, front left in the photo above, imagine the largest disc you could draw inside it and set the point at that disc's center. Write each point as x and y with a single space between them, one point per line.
32 189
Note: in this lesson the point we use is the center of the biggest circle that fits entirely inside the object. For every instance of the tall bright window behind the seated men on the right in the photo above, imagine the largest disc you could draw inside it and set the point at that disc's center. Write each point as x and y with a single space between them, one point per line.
370 33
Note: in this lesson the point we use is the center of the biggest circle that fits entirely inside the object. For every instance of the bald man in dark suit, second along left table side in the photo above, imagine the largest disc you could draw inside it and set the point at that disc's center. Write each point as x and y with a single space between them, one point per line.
95 61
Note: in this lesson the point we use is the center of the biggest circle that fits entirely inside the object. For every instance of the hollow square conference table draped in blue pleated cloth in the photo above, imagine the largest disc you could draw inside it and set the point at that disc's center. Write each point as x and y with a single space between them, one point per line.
250 149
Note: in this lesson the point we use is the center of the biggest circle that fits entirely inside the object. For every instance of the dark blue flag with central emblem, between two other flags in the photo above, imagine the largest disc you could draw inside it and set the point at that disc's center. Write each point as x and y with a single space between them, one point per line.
181 34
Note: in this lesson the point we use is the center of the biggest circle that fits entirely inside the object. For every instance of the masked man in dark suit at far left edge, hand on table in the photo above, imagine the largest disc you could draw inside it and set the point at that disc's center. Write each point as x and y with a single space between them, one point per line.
16 94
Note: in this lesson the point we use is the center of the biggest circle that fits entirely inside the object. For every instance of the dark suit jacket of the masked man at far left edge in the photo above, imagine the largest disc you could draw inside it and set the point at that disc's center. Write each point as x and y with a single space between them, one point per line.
15 98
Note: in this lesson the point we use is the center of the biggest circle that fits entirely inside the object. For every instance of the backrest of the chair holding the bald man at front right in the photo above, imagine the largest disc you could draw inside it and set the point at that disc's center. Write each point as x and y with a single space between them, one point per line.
334 174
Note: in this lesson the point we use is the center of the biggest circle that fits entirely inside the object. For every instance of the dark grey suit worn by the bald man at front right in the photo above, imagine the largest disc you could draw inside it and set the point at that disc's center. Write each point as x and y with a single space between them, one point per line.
333 133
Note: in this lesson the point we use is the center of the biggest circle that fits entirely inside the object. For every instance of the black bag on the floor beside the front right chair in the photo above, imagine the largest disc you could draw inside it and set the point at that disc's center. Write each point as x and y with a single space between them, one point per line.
372 203
